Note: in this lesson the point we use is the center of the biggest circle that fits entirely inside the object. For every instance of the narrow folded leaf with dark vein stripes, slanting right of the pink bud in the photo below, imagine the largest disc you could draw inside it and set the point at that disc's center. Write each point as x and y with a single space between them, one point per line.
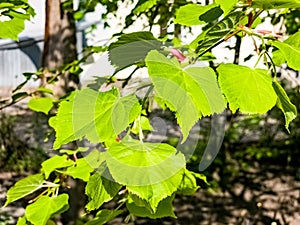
216 33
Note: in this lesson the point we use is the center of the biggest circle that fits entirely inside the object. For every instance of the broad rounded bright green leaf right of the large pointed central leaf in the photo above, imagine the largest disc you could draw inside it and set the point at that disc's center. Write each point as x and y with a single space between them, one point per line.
246 89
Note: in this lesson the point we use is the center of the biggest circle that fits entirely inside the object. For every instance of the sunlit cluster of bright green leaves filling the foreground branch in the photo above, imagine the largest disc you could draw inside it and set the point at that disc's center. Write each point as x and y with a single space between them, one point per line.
149 175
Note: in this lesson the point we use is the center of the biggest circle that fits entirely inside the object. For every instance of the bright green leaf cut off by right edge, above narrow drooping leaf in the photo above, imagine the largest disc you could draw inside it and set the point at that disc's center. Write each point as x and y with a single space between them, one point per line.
291 53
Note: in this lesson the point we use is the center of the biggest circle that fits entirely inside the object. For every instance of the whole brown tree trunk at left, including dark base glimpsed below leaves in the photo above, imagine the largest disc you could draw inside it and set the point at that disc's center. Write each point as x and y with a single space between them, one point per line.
60 49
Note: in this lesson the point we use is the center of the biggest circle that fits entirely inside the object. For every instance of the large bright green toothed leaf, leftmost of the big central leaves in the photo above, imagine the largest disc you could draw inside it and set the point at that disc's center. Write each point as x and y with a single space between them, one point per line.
97 116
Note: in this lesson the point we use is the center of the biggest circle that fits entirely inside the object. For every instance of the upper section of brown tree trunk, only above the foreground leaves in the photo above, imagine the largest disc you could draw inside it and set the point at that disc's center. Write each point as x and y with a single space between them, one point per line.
59 46
